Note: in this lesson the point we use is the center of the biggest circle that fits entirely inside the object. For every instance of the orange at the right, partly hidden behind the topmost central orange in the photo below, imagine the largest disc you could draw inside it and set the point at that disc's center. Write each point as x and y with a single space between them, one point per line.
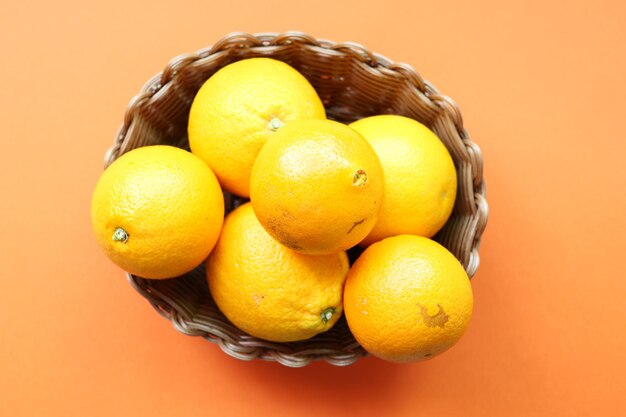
420 177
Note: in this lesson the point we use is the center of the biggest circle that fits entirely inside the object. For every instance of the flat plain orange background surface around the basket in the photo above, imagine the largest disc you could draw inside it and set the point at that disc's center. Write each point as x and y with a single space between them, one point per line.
542 89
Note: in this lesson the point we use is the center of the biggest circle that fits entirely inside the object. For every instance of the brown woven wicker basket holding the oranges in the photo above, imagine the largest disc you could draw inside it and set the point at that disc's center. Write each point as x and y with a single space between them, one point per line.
353 83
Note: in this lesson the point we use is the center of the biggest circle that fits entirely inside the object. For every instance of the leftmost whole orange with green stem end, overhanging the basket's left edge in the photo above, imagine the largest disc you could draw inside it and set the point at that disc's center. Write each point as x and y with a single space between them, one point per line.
169 204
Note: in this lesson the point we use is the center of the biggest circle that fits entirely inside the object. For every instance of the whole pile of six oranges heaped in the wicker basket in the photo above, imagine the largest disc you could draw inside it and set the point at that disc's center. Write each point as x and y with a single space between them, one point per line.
277 265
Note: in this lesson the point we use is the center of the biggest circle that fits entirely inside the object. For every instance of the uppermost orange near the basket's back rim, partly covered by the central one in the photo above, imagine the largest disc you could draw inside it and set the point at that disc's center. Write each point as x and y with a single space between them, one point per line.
239 108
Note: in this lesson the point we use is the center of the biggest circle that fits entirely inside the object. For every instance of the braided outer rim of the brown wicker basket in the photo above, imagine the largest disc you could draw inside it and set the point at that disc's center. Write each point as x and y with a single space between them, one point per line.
440 104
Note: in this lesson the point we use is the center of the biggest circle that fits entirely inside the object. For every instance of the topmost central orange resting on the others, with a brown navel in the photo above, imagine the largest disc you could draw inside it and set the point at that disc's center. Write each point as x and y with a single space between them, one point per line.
317 186
